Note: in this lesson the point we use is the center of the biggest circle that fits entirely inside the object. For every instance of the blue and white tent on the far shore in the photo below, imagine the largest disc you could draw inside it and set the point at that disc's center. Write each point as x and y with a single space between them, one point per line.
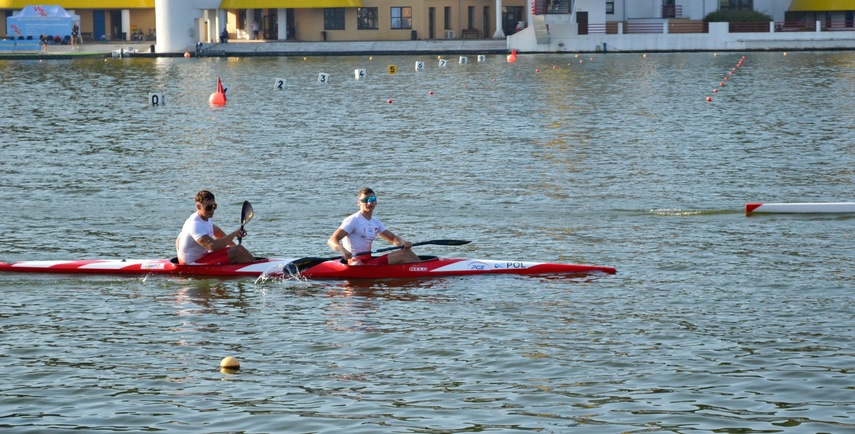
41 20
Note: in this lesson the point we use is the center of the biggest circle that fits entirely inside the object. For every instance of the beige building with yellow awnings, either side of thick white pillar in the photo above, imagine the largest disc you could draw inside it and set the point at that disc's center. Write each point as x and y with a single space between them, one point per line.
305 20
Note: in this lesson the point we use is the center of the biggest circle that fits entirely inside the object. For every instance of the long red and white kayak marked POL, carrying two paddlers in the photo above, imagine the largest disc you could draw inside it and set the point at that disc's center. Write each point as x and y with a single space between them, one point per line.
333 269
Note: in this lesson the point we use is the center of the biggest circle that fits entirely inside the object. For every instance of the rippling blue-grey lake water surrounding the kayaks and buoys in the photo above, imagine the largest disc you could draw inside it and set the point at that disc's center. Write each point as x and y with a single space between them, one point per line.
715 321
